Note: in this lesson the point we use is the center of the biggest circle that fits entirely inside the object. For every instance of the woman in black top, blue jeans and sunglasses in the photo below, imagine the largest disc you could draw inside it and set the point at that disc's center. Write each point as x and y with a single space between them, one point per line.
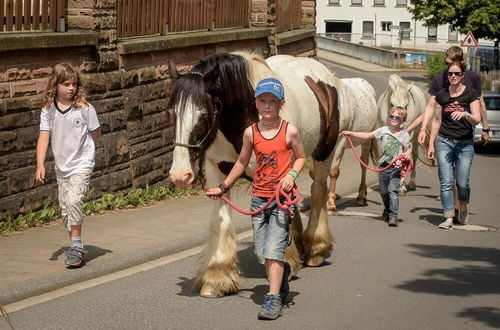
456 113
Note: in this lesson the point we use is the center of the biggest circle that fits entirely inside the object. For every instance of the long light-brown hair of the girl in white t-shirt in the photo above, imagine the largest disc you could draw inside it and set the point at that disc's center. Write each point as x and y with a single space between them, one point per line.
61 73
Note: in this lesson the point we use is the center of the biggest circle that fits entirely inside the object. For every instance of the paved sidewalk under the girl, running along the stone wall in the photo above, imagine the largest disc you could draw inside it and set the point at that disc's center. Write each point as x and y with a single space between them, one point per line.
32 261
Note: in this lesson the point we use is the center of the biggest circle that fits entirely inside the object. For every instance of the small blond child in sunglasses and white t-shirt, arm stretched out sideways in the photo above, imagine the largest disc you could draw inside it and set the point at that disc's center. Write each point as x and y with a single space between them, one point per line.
394 142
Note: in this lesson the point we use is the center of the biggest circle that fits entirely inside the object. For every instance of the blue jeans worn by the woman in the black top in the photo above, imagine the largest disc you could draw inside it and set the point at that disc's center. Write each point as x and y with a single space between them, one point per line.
458 155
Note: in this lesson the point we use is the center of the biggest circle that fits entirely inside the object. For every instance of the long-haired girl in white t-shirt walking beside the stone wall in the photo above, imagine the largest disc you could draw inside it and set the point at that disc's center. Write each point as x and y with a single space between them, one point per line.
72 126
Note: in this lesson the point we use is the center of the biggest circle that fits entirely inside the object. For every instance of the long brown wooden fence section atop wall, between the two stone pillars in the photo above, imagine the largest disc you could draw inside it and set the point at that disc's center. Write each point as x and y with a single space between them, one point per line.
148 17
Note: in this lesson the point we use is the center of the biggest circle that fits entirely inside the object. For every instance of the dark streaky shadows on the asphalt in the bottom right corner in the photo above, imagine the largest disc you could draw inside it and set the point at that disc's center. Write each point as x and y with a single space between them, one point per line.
464 281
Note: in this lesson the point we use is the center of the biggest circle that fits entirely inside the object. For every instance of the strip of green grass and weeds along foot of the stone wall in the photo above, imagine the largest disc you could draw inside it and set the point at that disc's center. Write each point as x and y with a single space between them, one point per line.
133 198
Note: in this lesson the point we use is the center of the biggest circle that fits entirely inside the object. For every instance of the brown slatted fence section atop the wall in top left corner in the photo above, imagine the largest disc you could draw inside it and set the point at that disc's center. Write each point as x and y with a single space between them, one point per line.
31 15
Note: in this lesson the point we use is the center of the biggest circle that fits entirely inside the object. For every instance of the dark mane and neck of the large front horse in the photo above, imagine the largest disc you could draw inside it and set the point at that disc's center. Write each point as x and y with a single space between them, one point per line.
222 81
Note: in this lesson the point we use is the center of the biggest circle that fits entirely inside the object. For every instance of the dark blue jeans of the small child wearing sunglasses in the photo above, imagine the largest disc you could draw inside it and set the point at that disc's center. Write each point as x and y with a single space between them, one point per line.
388 182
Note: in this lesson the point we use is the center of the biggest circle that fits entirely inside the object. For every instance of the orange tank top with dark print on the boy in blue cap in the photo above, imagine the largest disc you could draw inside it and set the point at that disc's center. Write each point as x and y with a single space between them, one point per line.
273 160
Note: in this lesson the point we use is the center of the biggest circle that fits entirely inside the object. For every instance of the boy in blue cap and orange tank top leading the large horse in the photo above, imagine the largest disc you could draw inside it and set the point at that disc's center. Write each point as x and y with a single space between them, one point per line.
274 141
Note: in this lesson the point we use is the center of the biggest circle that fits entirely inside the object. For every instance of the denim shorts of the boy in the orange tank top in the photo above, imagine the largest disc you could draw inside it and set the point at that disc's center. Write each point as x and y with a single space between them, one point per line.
270 230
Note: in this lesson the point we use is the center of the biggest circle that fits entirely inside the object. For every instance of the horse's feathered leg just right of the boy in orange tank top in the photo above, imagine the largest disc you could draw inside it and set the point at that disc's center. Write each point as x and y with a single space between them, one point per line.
318 241
